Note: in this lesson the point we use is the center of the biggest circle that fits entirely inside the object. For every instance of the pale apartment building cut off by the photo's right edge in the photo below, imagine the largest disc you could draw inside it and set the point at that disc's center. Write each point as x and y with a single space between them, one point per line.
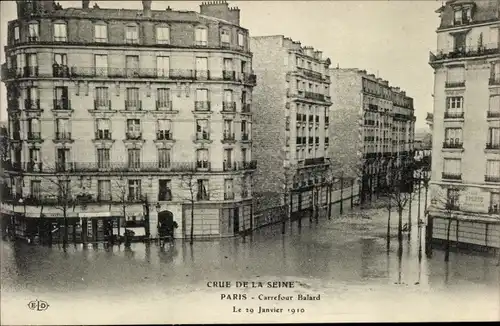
465 181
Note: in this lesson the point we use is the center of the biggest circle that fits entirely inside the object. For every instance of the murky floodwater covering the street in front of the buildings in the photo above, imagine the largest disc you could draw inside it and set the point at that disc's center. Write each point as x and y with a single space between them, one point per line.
342 262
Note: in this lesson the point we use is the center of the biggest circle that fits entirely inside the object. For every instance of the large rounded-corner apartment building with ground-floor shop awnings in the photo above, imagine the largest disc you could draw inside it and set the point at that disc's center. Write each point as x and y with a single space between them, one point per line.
117 117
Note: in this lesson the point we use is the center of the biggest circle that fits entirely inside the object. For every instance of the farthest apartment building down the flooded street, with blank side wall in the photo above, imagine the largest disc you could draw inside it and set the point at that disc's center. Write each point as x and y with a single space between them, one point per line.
373 130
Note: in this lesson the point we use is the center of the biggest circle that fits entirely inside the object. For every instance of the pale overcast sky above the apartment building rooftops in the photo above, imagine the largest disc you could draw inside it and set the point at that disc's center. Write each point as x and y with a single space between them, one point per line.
391 39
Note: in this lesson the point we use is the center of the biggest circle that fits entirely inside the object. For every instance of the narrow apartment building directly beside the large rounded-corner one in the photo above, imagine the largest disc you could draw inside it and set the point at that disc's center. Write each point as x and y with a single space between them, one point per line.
291 123
